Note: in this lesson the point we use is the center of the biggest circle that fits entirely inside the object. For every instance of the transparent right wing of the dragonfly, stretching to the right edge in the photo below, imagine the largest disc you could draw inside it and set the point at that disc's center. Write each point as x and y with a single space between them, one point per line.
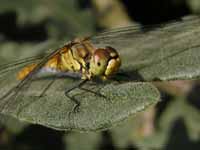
144 46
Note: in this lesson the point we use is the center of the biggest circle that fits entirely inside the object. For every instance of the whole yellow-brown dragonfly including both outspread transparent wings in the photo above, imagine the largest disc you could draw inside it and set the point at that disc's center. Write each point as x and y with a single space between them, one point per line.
99 56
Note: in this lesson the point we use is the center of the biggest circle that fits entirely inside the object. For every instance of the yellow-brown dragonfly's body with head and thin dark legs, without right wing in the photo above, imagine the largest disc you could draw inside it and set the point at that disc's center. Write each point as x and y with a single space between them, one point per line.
79 56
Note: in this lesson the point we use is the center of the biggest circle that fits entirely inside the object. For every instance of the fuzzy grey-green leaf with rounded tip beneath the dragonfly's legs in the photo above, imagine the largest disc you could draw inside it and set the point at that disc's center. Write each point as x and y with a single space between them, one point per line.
55 110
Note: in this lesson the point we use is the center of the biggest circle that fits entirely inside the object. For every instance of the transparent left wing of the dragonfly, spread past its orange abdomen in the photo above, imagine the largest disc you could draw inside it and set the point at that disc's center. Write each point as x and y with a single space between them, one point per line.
13 89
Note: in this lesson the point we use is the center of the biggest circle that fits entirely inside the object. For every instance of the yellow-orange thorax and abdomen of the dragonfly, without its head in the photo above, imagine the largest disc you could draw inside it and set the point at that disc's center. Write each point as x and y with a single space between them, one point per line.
69 58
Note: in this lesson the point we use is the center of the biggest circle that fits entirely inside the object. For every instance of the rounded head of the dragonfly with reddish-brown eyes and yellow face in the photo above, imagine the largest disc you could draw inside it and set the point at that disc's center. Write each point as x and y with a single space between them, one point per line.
104 62
